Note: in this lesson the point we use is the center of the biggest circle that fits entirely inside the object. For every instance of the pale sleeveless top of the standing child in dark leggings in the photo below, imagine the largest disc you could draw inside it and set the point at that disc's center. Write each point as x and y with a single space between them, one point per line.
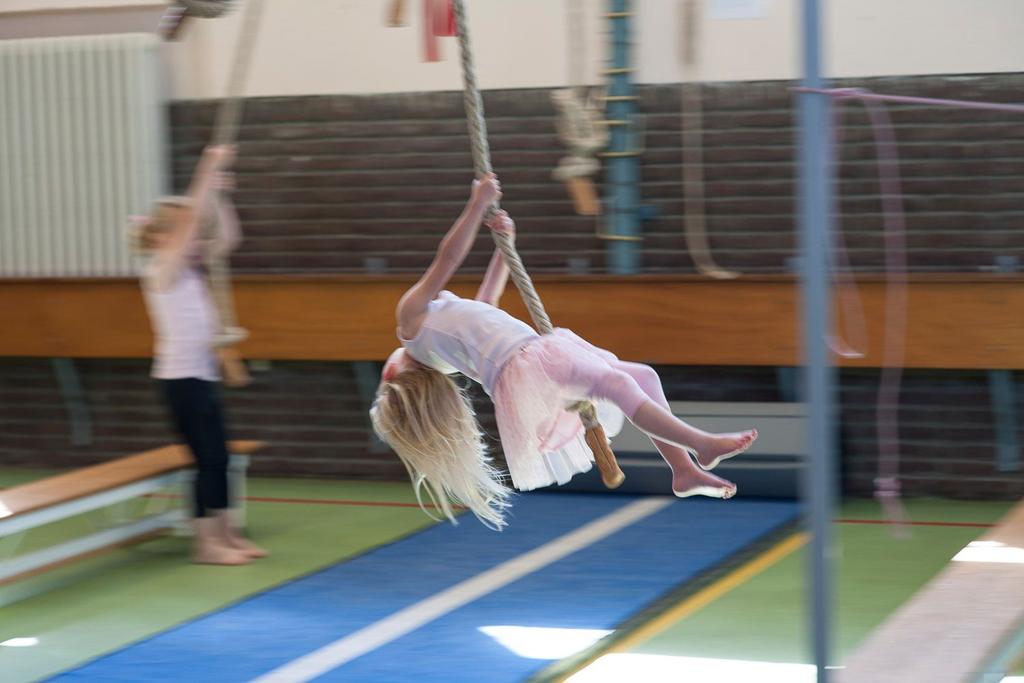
185 323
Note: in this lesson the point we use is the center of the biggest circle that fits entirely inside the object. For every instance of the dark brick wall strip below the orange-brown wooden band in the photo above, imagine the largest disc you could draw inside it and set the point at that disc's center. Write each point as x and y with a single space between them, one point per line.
312 416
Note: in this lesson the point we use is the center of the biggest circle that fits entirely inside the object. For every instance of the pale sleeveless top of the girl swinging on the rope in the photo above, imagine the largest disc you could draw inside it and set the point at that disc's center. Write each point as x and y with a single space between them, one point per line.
470 337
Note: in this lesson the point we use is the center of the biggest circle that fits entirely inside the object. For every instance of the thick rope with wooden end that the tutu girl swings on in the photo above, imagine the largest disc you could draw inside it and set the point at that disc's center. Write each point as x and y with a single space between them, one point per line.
596 440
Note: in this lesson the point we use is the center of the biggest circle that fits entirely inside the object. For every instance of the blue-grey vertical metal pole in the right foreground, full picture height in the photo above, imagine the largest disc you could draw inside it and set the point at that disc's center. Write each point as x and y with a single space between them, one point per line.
816 229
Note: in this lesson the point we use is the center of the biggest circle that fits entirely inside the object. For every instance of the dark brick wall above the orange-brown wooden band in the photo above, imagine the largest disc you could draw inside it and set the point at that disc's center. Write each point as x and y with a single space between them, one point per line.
328 182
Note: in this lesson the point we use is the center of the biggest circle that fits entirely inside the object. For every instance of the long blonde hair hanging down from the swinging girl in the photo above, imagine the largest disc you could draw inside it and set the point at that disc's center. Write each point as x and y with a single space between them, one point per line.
430 422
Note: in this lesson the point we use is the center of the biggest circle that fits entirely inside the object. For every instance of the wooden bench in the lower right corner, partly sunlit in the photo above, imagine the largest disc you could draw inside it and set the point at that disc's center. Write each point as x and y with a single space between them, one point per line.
964 627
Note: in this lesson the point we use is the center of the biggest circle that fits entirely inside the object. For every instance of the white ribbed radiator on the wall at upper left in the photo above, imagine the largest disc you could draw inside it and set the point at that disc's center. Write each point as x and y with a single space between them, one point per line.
83 146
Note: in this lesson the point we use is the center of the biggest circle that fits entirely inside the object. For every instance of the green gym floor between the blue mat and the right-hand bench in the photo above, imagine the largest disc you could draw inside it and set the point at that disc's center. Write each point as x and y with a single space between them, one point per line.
758 613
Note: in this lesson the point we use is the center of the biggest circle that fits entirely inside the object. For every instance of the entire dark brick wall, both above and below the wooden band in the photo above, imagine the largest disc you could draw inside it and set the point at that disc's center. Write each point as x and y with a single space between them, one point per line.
326 183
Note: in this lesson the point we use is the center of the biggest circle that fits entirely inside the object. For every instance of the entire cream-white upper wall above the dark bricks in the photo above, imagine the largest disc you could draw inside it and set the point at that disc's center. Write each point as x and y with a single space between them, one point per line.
344 47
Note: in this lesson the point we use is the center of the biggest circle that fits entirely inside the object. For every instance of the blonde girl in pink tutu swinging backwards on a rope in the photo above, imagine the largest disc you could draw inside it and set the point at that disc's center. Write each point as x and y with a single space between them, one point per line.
429 420
